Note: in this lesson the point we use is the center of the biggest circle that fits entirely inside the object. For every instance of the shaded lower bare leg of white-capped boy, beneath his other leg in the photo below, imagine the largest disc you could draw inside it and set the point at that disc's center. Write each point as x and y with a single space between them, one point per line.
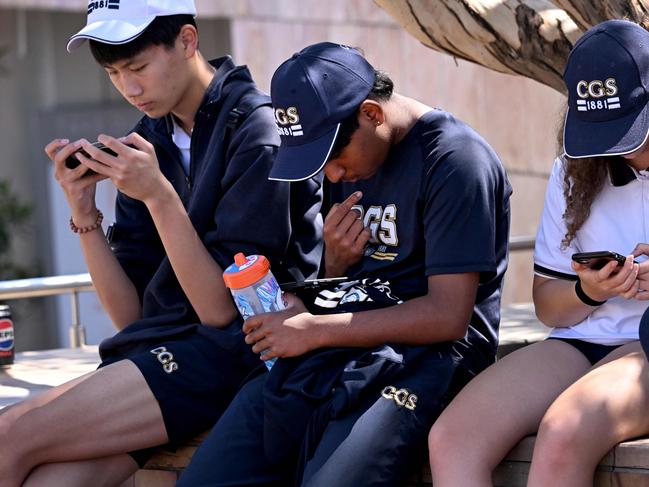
101 472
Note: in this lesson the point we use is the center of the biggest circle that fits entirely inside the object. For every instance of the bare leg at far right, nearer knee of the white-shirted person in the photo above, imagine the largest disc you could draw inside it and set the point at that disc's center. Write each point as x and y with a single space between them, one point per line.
606 406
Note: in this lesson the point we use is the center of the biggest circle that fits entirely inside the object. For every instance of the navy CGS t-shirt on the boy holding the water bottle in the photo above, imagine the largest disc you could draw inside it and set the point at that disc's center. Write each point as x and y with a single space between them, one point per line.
438 205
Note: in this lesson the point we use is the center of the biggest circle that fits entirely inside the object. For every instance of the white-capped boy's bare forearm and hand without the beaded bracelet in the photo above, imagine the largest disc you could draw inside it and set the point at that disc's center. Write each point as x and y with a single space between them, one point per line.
135 172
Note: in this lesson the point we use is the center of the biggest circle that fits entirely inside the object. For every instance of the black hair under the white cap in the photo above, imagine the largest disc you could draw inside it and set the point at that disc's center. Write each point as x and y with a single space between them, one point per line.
163 31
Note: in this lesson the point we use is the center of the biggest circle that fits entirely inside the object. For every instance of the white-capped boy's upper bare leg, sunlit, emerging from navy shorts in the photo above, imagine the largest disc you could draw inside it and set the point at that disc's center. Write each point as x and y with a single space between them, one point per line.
104 413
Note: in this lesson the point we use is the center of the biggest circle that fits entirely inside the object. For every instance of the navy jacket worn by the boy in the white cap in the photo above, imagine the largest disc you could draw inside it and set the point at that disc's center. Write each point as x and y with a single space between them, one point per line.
230 201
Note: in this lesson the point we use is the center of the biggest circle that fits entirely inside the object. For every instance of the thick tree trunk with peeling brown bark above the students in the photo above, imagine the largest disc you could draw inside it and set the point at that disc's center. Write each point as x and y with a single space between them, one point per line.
528 37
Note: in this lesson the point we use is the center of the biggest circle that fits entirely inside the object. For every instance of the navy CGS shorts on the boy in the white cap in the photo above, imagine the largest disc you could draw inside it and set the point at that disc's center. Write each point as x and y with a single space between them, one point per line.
192 377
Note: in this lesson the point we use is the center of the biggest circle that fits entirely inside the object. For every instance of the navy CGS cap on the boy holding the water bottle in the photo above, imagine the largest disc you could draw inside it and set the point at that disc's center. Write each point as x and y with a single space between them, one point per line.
312 92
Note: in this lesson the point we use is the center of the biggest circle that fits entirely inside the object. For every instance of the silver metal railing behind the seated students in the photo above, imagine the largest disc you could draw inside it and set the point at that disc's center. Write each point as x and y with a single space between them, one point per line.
73 284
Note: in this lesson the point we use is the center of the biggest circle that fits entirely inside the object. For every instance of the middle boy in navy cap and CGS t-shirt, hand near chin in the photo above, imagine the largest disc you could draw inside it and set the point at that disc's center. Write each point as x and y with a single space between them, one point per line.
418 223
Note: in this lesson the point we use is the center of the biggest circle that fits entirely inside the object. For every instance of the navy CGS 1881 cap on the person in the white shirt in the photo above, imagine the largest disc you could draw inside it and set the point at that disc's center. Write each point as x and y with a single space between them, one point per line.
607 76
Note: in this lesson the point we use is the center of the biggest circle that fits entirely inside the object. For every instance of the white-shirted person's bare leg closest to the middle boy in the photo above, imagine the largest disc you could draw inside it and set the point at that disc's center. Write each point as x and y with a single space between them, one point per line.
496 409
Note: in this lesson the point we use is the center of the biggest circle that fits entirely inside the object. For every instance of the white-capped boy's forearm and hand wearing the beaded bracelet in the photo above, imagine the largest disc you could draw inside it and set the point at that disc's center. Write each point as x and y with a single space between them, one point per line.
114 289
